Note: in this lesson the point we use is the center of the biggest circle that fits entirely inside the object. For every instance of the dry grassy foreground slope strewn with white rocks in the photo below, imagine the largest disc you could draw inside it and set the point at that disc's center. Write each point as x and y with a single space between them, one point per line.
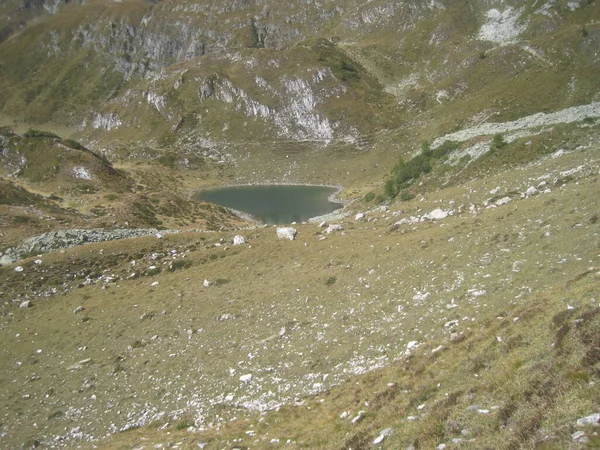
321 326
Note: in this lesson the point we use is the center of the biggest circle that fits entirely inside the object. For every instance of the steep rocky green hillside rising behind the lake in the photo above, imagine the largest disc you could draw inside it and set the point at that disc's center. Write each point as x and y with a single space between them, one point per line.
250 83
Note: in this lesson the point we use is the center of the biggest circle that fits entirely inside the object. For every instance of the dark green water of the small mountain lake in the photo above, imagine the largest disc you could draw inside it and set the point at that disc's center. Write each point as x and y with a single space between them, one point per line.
274 204
